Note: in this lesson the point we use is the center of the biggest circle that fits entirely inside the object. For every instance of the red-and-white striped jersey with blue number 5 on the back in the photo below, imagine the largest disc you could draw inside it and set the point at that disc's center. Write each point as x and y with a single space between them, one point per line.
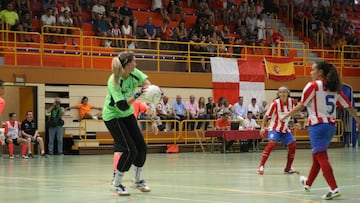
321 104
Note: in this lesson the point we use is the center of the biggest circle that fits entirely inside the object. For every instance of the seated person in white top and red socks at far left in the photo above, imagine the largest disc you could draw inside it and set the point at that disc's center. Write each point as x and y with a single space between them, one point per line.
13 136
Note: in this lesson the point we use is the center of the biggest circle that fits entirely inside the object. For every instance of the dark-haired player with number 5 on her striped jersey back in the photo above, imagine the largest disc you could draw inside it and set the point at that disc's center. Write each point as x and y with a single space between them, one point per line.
321 96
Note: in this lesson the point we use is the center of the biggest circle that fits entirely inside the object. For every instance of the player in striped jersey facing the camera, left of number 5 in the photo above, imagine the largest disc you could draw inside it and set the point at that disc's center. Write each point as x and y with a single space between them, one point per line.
279 131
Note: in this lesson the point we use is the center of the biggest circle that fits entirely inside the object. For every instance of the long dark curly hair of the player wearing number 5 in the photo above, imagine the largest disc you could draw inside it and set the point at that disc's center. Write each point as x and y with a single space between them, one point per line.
331 76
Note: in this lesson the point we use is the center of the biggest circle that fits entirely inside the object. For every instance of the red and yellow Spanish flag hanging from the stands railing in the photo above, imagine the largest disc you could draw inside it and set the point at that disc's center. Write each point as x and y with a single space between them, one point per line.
281 69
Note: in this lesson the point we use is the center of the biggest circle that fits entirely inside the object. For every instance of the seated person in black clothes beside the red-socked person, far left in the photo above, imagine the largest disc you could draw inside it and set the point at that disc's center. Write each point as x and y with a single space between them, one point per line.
29 131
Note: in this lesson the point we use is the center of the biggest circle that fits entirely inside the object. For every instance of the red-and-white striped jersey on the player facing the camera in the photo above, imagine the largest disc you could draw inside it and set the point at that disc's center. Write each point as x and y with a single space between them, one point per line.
278 109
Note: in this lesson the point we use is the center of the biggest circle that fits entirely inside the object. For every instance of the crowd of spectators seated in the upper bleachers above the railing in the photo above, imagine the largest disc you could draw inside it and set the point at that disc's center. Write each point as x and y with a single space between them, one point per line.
216 22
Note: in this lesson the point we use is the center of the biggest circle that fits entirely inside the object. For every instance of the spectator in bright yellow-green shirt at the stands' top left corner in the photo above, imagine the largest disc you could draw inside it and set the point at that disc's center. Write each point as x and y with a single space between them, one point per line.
10 17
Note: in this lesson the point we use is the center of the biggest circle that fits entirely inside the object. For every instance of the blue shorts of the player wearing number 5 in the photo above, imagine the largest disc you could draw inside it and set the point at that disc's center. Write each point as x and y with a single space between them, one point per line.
320 136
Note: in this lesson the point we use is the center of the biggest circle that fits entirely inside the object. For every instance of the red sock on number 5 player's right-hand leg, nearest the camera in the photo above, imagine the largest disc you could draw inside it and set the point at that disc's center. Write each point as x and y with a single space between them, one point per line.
327 169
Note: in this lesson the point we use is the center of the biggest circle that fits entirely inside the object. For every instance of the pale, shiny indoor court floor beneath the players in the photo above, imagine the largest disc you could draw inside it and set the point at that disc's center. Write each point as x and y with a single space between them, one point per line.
183 177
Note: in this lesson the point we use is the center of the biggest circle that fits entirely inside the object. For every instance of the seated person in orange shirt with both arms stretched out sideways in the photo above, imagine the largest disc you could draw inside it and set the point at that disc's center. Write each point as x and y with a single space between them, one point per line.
85 109
